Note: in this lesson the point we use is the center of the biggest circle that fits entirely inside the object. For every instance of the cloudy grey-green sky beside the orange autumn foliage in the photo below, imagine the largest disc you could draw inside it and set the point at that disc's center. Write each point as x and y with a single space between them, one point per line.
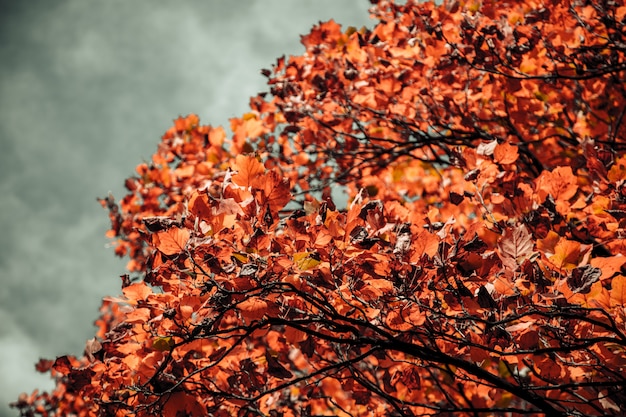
86 90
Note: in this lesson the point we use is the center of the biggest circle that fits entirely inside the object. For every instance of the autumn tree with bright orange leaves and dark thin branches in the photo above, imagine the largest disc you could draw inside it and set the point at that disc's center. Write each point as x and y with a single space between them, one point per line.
477 269
